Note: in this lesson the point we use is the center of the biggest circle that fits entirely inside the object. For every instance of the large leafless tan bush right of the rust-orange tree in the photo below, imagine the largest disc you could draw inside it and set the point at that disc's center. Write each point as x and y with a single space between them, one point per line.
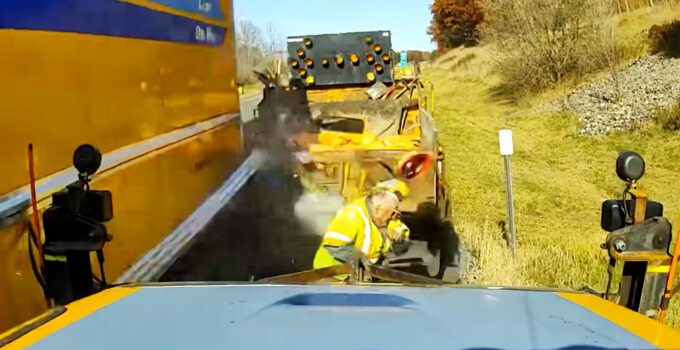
542 41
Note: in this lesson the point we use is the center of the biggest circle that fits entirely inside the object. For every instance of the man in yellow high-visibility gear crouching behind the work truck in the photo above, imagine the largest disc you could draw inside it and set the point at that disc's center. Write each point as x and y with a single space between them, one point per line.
369 225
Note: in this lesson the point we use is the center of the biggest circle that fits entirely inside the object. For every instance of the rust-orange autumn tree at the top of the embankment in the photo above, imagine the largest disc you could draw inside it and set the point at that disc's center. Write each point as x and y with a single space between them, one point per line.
455 23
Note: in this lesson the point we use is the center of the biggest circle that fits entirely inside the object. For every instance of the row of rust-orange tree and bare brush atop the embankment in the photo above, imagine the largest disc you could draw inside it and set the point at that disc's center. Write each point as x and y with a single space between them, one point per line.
538 43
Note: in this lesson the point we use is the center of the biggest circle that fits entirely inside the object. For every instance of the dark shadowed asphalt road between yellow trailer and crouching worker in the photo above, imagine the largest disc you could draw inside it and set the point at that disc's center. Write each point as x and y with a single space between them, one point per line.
256 235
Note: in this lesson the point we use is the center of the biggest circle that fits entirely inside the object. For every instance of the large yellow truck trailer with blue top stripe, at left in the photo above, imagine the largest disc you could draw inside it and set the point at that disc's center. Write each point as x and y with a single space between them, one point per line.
151 83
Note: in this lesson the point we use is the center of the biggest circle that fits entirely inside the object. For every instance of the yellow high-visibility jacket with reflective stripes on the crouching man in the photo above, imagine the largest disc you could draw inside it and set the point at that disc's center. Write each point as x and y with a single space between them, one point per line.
352 226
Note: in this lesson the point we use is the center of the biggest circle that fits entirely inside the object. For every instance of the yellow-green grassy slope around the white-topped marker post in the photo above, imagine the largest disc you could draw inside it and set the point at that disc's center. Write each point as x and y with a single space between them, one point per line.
560 181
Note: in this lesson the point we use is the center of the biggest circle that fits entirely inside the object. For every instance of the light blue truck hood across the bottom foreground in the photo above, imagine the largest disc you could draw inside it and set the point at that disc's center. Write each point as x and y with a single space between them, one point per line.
342 317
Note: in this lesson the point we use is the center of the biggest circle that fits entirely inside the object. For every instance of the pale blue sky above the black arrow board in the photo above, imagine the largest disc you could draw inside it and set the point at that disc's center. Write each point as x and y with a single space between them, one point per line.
407 19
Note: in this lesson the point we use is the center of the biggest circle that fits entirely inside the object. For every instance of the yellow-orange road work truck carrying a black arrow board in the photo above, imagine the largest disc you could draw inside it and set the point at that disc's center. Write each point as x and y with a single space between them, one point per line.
370 124
